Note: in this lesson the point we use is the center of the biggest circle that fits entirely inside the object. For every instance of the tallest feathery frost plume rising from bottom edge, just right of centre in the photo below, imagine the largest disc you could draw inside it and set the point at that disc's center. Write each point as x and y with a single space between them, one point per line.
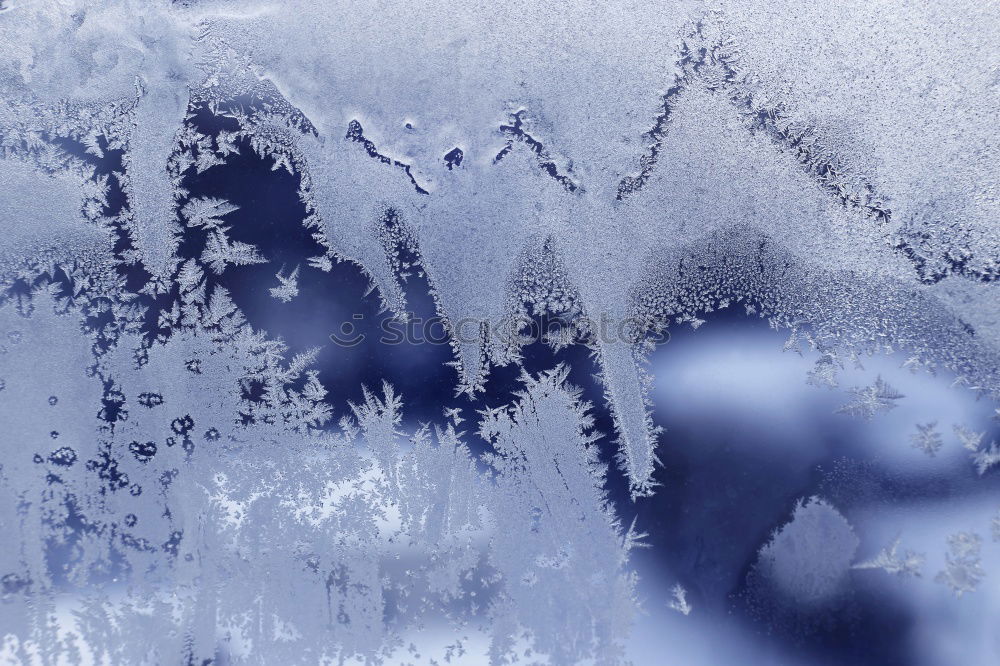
555 521
